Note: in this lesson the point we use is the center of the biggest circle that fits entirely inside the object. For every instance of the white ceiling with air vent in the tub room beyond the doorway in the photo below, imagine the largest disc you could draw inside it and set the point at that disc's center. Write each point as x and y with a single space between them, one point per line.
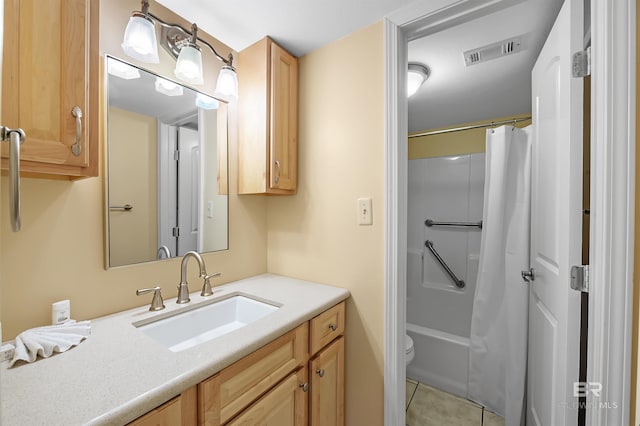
455 93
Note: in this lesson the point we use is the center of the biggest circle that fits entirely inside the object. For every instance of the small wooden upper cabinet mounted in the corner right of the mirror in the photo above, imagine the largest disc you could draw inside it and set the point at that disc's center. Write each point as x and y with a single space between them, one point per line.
268 120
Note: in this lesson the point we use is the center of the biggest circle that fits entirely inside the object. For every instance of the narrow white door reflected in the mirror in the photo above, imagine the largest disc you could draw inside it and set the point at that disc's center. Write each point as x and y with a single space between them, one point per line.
188 190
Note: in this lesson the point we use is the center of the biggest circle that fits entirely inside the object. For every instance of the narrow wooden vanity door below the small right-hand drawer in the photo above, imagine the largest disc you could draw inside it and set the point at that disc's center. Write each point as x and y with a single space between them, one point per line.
327 386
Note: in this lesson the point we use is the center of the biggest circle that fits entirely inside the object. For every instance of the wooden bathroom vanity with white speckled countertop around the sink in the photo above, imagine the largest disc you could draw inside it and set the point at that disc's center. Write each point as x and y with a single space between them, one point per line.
288 366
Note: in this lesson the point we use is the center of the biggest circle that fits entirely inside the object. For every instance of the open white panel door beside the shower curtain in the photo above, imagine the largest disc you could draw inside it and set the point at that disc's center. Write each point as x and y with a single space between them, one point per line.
556 216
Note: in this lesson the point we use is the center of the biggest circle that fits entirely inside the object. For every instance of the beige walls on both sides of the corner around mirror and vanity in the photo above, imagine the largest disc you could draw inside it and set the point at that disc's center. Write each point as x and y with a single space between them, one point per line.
312 235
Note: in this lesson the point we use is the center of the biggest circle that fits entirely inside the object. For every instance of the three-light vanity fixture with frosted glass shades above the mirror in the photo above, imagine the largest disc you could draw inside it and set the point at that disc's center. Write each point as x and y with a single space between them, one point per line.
140 43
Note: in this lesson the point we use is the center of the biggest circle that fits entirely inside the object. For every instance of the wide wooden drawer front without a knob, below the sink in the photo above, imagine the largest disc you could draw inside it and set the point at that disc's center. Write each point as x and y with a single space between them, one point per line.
227 393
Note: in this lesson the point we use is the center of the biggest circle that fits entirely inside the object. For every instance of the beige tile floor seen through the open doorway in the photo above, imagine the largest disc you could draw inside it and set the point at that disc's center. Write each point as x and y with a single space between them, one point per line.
428 406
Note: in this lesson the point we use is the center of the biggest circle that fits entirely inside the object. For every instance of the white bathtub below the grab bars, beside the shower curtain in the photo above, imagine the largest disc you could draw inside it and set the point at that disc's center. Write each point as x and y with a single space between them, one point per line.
441 361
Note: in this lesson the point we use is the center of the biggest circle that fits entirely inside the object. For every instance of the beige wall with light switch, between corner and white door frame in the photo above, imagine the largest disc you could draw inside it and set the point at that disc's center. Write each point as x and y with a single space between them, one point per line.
313 235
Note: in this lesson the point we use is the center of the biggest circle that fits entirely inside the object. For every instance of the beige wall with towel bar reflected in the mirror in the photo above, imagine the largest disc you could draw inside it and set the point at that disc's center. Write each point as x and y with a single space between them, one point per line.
134 147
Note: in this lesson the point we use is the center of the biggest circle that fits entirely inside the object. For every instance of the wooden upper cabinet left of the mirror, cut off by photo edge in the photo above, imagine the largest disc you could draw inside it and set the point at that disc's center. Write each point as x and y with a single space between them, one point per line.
50 84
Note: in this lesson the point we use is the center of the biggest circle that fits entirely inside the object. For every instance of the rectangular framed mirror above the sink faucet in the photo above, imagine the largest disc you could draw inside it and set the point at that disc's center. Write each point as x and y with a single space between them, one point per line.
166 167
